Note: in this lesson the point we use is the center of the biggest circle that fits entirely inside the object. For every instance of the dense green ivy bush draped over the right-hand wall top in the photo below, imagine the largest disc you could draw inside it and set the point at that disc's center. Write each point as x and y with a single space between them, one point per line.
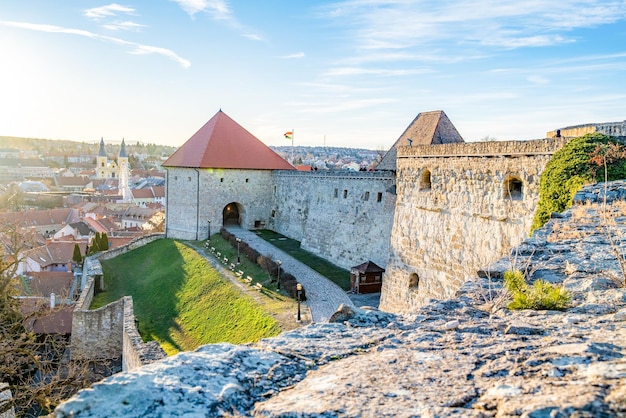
568 170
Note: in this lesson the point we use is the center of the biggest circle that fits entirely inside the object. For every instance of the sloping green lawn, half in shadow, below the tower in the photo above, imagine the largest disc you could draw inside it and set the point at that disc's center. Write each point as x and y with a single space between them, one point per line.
180 300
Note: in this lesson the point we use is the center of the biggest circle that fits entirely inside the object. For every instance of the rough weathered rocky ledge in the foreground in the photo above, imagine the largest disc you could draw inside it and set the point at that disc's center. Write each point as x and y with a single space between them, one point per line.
466 357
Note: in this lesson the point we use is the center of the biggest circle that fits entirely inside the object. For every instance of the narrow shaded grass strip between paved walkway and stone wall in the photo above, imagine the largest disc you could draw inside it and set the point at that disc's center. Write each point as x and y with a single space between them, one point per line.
292 247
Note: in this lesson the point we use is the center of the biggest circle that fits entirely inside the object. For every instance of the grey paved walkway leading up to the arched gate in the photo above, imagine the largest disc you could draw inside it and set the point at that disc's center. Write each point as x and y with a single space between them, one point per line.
323 296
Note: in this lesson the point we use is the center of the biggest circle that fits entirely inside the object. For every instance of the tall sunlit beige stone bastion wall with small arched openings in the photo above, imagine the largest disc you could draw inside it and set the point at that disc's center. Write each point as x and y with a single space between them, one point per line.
454 214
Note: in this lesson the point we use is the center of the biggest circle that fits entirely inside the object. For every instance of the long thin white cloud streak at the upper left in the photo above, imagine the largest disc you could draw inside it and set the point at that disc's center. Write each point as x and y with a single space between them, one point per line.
137 48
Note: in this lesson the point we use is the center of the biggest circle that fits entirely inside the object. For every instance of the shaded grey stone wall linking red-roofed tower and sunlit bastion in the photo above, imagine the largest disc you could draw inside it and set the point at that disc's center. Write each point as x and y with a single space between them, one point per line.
343 216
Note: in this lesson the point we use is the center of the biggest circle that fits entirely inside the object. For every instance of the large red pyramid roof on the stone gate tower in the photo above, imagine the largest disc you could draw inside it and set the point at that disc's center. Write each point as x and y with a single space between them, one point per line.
223 143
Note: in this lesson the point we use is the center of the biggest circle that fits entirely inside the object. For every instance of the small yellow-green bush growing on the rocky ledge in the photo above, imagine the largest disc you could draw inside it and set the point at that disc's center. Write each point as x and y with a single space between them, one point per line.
540 296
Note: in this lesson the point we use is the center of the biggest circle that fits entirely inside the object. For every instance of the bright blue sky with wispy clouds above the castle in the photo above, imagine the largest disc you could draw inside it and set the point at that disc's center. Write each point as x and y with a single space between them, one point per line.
350 73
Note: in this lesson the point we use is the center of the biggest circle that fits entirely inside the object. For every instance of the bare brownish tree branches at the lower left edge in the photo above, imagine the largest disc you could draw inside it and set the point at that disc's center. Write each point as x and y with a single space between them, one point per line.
32 365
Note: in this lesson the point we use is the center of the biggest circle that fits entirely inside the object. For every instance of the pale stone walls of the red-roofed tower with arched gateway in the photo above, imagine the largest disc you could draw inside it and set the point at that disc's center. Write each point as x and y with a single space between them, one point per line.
195 196
